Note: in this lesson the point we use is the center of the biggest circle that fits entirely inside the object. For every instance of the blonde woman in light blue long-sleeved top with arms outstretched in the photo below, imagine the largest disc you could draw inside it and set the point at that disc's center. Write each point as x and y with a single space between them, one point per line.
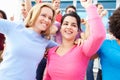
26 43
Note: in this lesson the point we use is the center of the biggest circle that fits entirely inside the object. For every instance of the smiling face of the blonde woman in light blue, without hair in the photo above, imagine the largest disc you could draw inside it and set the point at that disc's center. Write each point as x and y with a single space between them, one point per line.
44 20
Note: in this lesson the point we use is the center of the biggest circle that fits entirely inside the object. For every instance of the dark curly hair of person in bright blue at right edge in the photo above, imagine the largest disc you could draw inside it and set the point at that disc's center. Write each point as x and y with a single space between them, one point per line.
114 23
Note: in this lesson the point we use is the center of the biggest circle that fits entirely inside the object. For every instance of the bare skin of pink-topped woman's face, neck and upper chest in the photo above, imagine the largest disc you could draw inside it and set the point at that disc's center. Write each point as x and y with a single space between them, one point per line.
69 30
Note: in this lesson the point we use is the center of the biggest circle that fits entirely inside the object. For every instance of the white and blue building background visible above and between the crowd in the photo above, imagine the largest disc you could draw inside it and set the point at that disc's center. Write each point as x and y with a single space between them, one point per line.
12 7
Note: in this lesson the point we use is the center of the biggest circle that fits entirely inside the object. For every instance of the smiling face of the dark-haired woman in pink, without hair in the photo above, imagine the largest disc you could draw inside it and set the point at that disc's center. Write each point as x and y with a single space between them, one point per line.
69 28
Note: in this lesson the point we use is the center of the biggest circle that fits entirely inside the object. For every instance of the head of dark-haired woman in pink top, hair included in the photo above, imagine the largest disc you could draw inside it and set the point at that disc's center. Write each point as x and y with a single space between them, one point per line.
70 26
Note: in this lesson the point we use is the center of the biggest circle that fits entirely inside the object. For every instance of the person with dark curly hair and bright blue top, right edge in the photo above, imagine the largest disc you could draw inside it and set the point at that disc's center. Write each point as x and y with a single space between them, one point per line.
109 52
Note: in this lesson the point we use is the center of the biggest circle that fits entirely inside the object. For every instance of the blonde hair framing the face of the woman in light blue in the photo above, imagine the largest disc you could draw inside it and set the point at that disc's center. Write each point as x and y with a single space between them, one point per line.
34 13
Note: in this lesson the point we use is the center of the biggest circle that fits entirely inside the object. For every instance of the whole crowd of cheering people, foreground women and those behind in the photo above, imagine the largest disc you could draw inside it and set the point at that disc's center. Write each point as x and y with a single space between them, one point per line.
48 45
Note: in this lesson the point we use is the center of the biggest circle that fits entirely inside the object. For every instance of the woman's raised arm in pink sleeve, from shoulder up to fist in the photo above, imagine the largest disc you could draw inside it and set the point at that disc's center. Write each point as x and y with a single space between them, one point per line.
97 31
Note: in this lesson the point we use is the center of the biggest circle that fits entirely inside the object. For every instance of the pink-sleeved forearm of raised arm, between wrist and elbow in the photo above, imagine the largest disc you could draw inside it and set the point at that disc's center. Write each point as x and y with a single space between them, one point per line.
97 29
